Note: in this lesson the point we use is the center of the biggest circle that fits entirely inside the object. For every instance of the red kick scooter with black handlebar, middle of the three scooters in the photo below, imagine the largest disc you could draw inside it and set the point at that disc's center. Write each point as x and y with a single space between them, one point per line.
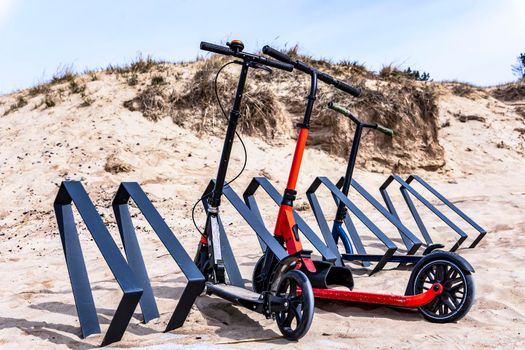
428 273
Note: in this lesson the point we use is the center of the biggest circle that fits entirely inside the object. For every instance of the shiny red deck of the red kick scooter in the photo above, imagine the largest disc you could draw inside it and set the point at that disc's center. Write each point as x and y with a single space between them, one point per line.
381 299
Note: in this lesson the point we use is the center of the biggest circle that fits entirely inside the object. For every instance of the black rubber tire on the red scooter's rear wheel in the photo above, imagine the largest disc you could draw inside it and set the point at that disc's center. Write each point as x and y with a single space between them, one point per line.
470 290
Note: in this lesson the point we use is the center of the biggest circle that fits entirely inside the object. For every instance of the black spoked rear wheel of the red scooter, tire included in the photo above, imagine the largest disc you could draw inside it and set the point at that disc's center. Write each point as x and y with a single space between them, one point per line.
458 287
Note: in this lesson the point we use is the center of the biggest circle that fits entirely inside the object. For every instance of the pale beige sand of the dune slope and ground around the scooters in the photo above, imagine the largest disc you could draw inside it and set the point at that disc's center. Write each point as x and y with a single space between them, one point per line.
40 148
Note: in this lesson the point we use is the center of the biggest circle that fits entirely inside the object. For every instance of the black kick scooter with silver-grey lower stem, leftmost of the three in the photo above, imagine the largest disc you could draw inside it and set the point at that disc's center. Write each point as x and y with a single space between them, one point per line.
289 296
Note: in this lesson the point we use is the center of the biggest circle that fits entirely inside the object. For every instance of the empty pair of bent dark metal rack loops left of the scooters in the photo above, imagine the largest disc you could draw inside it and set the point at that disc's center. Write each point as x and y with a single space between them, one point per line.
131 275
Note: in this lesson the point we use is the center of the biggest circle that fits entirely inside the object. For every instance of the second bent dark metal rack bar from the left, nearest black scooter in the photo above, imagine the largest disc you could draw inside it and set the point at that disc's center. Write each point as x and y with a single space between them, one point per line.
195 285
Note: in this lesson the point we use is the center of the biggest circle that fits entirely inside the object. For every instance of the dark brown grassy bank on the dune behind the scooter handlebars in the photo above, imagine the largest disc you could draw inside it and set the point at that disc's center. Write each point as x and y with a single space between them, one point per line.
272 104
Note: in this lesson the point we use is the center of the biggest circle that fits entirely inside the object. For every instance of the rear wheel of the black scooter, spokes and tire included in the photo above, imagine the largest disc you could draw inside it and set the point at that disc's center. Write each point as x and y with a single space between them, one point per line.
295 322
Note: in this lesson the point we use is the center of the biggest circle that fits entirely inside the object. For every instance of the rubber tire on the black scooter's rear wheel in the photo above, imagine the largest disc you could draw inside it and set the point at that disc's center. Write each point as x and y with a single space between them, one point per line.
307 305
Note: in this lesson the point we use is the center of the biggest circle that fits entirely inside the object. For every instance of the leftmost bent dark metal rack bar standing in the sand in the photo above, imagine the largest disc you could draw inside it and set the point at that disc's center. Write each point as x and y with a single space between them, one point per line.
74 192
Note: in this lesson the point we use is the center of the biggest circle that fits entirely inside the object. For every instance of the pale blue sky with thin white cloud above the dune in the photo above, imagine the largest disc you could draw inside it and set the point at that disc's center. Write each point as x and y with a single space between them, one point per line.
468 40
